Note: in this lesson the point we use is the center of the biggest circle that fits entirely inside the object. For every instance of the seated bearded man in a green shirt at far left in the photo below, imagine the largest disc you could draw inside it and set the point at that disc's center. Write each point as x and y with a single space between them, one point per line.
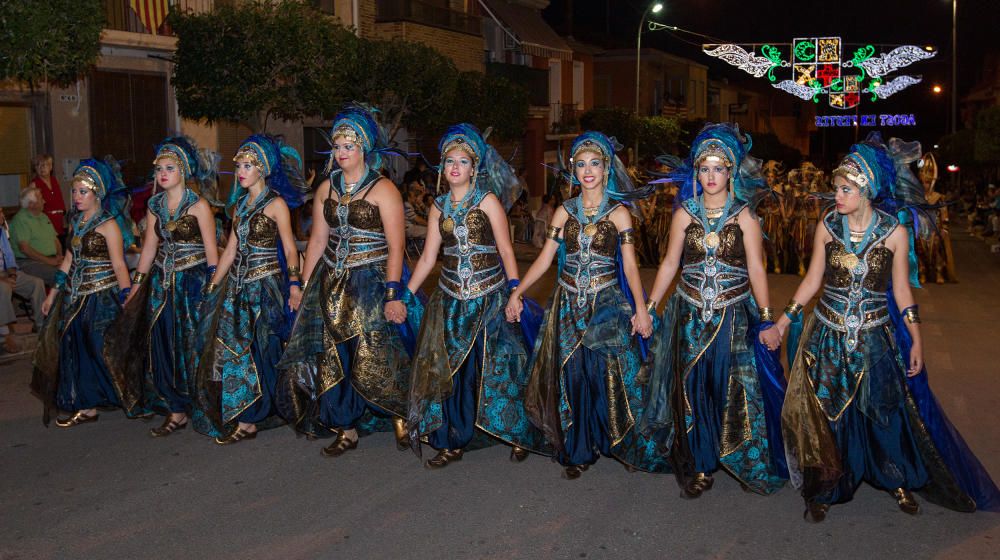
34 239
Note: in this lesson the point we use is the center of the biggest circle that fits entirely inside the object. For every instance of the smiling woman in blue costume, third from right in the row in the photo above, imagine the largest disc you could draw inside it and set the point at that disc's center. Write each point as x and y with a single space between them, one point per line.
583 391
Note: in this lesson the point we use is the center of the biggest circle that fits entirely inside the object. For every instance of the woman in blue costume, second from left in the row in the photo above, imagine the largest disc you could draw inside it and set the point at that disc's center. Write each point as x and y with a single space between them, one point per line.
153 348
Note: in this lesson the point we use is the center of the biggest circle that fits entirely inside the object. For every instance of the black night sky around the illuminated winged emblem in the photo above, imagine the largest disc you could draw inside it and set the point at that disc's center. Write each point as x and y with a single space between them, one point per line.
613 24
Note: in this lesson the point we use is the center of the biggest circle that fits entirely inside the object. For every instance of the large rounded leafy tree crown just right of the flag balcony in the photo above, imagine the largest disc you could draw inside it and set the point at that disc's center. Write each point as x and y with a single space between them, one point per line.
253 61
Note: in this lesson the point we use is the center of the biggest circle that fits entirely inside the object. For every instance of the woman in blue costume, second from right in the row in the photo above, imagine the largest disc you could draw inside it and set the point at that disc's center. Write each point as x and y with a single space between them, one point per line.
712 401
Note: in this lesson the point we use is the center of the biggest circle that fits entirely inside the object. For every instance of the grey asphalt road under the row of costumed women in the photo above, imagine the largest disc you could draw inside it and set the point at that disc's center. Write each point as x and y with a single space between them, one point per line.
108 490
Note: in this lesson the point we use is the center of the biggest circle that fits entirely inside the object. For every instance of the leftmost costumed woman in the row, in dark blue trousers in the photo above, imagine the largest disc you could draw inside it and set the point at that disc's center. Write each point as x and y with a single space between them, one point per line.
70 373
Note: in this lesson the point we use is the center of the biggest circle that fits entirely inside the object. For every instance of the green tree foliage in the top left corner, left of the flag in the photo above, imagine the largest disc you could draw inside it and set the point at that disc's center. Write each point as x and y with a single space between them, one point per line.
49 41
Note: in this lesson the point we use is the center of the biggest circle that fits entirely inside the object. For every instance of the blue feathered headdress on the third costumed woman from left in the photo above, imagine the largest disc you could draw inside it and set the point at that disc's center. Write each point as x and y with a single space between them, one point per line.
278 163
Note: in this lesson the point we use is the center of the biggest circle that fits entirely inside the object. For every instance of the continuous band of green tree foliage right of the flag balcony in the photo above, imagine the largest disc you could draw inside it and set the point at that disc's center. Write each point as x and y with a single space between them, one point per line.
284 59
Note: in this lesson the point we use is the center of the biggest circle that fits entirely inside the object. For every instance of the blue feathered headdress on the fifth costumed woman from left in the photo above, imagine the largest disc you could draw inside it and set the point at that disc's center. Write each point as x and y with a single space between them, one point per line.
492 172
